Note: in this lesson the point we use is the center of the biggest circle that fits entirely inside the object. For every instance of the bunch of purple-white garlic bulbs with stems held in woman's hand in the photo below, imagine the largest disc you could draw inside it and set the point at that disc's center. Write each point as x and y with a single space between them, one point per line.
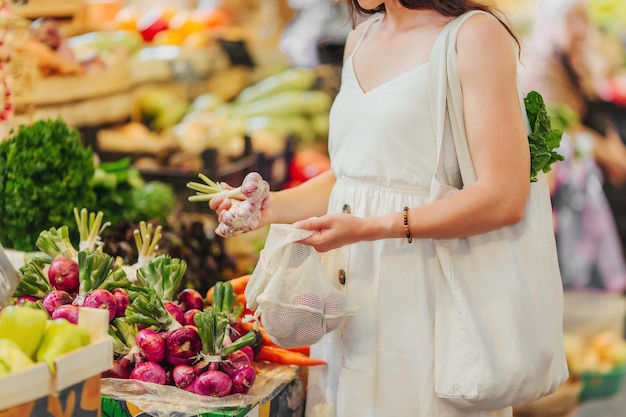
247 201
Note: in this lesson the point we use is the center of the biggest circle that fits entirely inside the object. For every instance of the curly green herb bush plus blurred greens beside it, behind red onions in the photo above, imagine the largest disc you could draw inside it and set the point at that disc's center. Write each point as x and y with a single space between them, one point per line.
45 171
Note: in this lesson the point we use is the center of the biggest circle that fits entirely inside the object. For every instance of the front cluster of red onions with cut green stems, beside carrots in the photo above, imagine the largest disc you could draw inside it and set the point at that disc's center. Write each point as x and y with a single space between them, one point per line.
202 356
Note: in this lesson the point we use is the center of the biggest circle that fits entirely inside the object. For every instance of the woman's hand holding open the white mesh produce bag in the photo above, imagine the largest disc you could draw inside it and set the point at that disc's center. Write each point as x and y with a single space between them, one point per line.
331 230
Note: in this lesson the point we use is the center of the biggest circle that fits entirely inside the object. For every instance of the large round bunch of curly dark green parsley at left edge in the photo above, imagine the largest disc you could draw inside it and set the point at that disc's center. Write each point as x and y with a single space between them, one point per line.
45 171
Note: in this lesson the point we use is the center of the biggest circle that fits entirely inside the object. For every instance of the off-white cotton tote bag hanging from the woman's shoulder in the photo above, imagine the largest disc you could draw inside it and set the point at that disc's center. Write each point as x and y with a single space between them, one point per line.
499 310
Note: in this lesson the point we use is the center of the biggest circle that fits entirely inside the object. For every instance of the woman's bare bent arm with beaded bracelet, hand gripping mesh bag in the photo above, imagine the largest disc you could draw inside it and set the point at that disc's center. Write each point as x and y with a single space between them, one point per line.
498 145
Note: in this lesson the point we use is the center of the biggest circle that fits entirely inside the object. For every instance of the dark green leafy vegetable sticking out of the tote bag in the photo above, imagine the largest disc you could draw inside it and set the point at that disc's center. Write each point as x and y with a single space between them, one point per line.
543 139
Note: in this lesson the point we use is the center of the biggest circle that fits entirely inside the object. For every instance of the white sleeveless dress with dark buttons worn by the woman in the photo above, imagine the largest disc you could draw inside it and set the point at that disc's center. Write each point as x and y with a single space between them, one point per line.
383 153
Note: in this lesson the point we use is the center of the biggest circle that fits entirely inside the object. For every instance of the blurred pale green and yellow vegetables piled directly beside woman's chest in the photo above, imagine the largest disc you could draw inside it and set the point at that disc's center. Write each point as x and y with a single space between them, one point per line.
283 104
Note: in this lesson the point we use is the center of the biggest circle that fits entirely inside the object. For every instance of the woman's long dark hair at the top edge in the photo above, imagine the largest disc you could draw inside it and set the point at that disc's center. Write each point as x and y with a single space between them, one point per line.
450 8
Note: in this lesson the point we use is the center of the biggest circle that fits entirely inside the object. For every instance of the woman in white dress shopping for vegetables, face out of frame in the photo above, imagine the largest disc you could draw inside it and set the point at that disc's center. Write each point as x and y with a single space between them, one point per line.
383 156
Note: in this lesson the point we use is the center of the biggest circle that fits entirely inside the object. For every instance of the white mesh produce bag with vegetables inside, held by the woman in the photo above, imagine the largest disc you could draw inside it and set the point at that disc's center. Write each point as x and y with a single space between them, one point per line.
291 293
